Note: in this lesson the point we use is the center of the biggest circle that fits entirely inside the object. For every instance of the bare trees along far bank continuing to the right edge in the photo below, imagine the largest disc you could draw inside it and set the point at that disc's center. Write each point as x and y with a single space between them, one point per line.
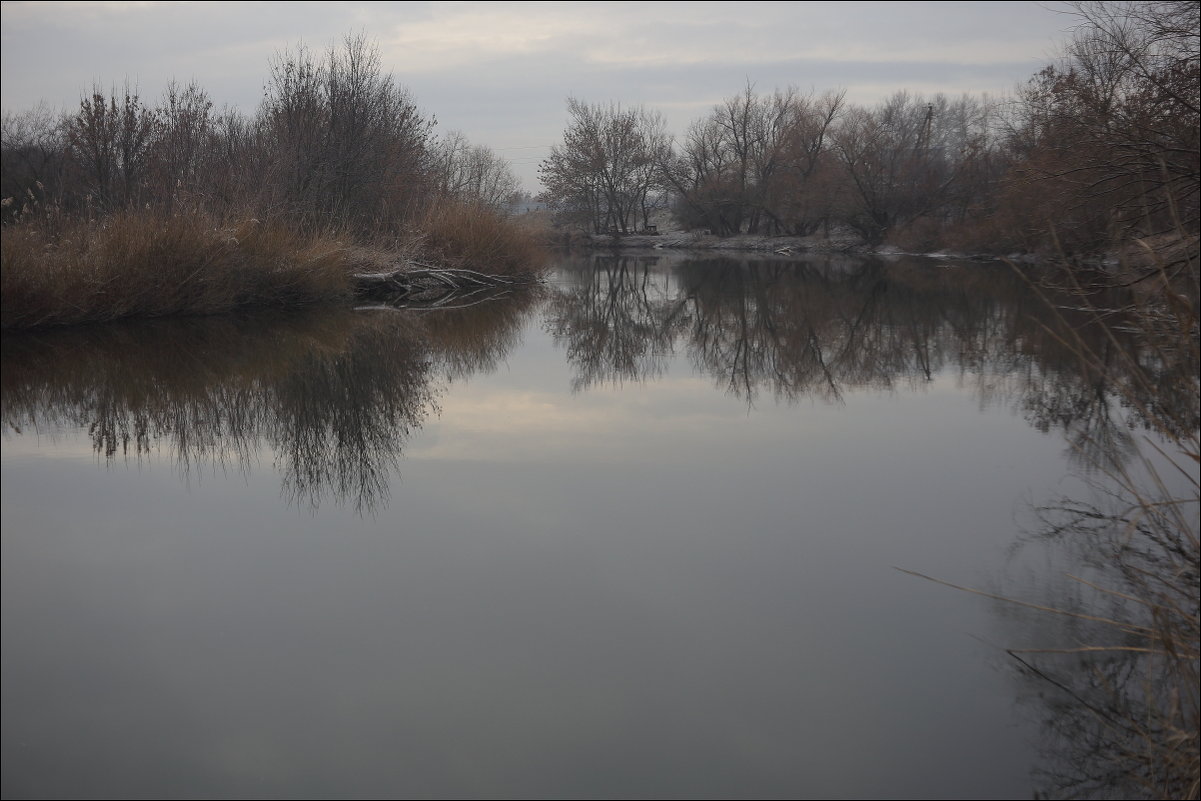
1103 145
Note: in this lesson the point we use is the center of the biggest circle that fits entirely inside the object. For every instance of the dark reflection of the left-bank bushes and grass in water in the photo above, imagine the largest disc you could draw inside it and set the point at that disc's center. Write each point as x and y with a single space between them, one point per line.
334 394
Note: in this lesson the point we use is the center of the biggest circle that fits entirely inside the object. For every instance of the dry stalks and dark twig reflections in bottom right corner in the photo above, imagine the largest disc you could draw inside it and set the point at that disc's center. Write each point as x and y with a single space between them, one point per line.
1119 682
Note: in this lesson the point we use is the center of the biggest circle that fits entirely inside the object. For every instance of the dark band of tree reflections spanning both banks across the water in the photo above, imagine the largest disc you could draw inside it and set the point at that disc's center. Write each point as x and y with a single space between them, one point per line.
336 396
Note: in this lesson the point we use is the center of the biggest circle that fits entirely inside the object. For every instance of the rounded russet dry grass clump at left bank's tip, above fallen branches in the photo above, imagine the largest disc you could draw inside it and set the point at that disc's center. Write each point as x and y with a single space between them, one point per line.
475 237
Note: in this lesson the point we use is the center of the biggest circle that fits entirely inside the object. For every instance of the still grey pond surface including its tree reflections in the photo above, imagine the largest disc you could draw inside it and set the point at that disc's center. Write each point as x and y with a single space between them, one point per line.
636 537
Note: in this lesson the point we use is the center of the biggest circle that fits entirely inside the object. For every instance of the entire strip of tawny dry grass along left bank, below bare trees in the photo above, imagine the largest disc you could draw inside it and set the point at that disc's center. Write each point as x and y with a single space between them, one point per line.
147 264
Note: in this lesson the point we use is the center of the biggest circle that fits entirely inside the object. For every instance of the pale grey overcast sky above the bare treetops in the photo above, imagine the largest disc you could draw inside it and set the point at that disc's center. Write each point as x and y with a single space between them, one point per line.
501 73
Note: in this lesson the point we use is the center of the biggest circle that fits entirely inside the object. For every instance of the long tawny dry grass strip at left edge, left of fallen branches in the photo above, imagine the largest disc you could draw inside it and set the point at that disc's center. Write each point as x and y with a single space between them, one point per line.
151 265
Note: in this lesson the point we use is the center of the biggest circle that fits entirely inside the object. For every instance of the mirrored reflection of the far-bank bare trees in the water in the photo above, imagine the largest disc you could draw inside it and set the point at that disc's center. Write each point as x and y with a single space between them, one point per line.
821 327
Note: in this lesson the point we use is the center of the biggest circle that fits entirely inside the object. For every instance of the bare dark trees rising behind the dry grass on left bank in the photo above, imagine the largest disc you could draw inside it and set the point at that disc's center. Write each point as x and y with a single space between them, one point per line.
336 144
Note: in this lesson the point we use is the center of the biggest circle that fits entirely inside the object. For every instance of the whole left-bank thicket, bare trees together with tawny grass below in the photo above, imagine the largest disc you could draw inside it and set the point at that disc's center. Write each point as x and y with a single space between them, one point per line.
128 210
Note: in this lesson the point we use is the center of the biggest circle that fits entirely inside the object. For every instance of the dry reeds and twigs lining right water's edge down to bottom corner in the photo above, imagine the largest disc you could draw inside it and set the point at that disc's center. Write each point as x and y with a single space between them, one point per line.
1121 685
